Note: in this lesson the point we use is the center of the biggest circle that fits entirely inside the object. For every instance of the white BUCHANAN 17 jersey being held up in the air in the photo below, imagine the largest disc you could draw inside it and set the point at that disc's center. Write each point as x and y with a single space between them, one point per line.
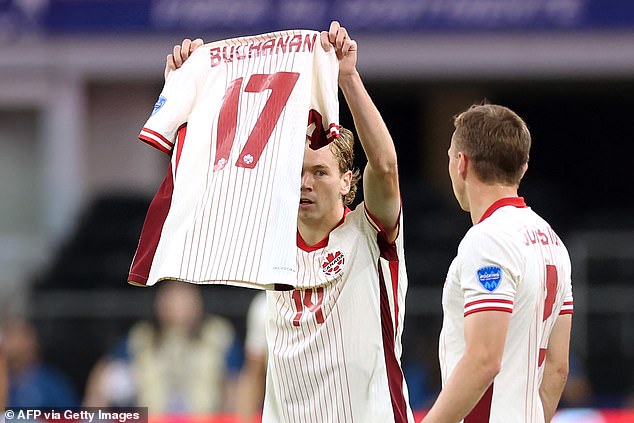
235 118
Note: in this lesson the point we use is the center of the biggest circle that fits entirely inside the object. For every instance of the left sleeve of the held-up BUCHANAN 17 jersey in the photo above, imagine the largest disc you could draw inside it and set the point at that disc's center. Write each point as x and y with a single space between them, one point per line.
173 107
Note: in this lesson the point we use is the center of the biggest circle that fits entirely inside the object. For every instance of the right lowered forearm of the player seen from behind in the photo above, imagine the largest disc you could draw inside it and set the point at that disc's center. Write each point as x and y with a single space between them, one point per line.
556 365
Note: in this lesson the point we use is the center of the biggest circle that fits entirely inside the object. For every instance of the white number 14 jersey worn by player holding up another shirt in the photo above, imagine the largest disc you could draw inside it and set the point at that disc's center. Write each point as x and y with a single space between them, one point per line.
334 350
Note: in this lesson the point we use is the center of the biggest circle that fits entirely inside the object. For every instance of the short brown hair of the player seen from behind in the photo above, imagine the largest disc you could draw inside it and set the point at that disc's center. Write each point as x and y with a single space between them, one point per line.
496 140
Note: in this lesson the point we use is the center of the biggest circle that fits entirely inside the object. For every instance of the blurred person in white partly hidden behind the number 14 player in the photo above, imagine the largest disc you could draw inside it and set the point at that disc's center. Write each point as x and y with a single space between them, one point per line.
253 375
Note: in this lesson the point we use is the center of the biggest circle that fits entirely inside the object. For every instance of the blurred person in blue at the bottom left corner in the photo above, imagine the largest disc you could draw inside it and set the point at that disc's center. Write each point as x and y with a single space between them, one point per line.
31 382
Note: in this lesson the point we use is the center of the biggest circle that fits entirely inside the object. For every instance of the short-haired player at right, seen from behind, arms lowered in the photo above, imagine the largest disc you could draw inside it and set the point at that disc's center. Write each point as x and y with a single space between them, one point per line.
507 299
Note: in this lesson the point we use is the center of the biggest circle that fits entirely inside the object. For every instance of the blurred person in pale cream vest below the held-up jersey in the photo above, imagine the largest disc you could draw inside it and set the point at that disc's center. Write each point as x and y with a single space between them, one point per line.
181 362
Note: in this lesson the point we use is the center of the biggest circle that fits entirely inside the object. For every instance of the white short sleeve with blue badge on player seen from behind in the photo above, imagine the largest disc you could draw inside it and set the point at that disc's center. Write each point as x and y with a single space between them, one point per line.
489 273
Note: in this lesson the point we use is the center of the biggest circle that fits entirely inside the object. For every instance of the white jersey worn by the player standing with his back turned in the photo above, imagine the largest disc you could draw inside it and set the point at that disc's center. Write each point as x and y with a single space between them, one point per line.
511 261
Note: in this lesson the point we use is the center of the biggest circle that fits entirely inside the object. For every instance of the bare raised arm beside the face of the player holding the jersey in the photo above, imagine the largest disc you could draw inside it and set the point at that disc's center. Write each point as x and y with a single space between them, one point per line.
380 178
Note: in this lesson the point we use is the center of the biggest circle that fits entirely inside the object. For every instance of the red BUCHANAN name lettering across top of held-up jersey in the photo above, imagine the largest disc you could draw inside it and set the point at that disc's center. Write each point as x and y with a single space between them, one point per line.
292 44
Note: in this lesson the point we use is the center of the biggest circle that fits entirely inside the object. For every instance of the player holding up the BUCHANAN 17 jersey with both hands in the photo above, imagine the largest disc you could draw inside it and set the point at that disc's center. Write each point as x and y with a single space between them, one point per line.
334 350
